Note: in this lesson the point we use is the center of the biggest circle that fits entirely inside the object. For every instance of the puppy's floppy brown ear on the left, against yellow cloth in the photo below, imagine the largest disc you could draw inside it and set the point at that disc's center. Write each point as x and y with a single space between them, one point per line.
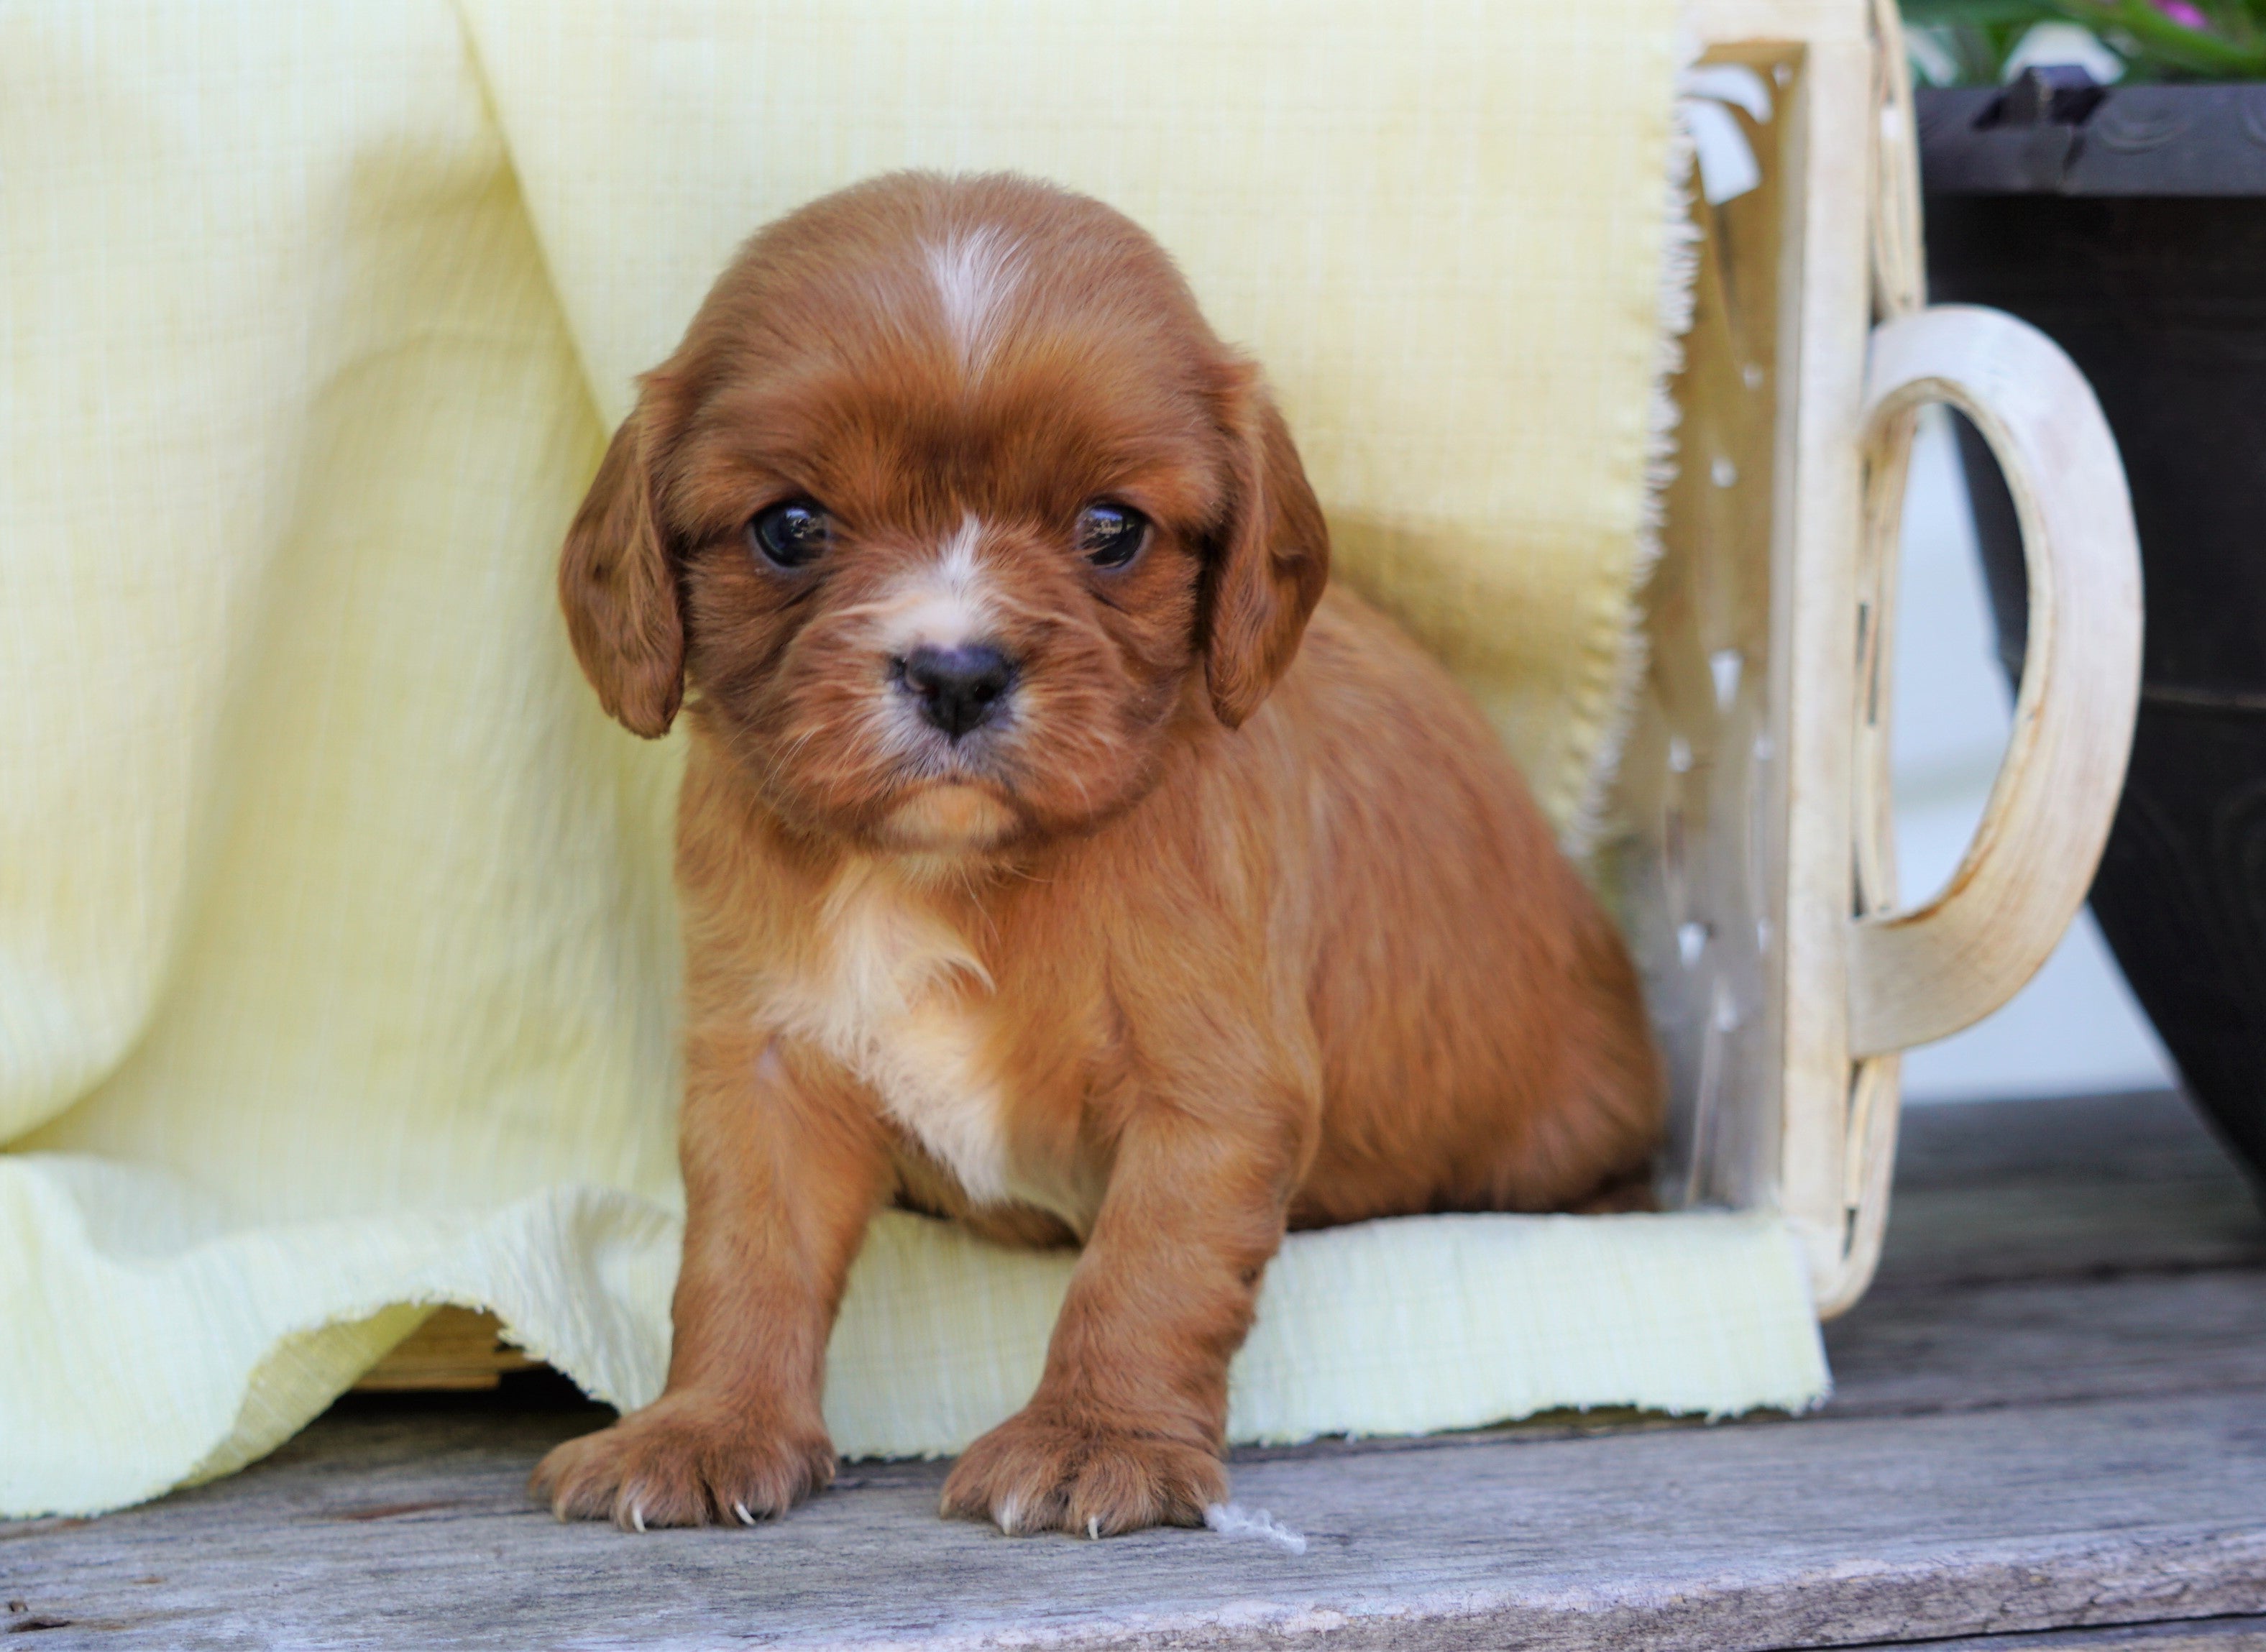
620 586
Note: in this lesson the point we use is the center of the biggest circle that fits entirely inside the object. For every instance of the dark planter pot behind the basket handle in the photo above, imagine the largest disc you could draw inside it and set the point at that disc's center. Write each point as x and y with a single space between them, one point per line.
2131 228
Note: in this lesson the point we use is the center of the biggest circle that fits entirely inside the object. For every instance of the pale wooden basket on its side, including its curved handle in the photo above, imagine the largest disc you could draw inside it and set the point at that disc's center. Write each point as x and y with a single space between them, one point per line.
1753 819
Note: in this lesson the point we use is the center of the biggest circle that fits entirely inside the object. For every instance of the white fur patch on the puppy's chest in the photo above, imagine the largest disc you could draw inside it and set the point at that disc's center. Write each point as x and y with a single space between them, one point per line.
898 998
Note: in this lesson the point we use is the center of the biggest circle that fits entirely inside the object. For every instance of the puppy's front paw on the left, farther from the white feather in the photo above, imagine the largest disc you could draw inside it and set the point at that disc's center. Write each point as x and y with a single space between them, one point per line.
685 1461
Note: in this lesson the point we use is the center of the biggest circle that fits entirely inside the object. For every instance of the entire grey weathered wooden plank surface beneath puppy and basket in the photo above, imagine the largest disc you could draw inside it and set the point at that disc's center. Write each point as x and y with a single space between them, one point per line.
2007 1456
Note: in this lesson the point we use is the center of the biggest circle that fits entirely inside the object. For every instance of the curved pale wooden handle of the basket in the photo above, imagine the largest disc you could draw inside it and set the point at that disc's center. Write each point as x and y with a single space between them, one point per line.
1927 973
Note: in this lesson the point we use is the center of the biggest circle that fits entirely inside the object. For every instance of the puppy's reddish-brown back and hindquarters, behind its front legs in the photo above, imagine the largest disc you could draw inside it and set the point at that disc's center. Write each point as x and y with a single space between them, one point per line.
1481 1028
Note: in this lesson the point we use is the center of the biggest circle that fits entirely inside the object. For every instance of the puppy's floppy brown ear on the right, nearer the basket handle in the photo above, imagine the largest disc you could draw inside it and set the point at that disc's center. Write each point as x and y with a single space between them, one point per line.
1270 561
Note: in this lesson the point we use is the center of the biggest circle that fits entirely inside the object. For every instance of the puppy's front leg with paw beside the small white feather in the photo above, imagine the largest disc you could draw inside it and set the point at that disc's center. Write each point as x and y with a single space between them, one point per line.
1130 1417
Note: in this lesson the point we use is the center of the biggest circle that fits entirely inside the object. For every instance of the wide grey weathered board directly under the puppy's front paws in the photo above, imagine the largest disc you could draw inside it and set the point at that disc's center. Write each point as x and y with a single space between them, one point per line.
1730 1538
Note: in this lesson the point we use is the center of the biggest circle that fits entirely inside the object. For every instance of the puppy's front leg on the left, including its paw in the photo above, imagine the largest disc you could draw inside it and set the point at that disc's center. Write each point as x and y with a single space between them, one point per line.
781 1177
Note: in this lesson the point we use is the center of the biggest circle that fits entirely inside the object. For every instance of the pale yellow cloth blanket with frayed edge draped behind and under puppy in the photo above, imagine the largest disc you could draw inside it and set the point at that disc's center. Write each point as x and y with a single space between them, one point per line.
337 944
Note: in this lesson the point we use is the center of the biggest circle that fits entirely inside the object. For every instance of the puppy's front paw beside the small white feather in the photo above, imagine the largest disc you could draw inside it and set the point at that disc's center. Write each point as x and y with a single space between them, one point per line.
1057 1472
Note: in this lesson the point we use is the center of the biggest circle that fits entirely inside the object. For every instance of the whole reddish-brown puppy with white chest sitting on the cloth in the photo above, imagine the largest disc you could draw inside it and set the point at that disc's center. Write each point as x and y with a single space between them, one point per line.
1055 853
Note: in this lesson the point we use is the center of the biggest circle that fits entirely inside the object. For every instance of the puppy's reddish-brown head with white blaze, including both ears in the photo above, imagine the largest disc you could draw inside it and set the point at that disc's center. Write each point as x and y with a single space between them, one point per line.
953 513
